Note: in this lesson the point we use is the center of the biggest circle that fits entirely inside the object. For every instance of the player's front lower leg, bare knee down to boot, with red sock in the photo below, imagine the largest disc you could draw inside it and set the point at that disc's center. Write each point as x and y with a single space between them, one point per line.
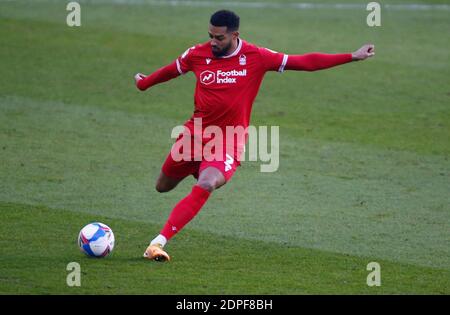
209 180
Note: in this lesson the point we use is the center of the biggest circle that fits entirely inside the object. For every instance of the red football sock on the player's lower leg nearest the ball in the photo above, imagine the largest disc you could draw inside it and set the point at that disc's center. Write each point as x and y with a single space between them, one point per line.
185 210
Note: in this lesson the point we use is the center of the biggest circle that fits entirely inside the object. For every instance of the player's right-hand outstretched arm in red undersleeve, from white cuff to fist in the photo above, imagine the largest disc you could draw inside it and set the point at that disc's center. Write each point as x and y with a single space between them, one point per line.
319 61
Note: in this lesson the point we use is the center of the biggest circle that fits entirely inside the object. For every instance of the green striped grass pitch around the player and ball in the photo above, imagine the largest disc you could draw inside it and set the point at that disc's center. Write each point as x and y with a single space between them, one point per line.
364 154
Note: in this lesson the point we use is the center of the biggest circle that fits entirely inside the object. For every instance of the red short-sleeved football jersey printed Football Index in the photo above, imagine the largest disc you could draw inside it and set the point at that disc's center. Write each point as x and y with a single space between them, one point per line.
227 86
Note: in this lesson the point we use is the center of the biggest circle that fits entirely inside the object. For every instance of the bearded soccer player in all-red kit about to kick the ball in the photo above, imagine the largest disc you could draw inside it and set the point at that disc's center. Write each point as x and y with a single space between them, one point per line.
229 72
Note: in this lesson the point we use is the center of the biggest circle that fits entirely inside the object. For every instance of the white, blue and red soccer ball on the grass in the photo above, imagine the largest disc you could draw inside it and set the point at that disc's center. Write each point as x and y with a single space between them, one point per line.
96 240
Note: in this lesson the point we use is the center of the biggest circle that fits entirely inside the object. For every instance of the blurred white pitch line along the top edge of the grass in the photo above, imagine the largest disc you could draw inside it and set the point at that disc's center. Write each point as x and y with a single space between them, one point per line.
263 5
